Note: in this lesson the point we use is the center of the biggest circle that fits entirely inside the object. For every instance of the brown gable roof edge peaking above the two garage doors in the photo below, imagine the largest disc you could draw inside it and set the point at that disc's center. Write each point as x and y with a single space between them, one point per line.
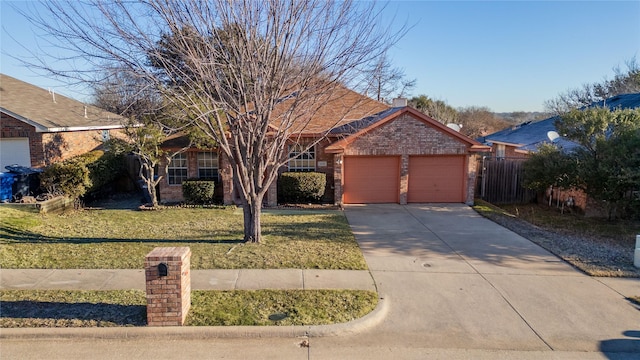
369 123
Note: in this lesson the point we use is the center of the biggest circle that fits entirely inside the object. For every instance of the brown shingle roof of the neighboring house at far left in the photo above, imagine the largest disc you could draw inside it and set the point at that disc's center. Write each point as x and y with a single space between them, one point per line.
50 112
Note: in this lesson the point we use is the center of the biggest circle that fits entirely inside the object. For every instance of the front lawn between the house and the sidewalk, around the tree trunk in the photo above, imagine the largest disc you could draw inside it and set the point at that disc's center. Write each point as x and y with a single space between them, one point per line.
120 239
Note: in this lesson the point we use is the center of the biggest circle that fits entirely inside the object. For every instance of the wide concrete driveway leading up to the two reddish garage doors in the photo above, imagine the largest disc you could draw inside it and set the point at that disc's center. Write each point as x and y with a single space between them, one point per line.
457 280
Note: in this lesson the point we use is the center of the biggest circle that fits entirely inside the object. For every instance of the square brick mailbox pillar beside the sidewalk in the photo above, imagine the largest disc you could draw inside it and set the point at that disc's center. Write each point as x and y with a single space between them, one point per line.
168 282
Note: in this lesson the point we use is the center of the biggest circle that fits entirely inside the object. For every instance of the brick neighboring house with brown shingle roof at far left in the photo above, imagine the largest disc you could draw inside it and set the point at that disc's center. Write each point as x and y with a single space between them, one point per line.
39 127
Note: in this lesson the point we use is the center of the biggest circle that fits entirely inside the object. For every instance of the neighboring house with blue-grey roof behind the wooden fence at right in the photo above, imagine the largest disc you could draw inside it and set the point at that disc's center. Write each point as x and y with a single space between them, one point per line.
518 141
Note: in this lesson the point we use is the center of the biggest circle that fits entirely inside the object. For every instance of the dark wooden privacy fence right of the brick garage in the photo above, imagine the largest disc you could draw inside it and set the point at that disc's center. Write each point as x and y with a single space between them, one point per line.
500 181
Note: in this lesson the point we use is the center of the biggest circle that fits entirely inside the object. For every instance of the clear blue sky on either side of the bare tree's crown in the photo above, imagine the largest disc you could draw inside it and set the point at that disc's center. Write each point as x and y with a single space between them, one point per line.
505 55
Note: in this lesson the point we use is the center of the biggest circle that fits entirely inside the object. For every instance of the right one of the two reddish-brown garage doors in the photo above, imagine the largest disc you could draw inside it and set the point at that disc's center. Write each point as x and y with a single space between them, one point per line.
438 179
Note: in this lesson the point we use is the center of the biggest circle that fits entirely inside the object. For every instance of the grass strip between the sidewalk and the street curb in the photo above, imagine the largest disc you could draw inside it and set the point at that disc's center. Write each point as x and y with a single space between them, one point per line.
59 308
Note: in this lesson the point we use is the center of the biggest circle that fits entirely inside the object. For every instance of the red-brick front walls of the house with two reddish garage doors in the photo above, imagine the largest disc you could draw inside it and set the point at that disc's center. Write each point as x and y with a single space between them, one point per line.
402 132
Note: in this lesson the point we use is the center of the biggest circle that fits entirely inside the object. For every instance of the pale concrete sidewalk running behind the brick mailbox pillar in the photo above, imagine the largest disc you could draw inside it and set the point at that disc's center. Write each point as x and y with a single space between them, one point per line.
238 279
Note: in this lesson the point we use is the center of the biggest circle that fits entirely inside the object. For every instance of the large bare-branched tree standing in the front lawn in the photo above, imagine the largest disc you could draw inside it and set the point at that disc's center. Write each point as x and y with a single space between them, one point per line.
251 74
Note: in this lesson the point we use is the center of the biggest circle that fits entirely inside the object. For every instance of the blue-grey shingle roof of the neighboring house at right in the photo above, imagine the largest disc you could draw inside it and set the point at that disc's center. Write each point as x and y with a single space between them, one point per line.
529 136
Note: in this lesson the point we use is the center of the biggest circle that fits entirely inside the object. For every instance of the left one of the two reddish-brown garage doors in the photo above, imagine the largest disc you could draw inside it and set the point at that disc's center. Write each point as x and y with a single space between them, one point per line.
371 179
